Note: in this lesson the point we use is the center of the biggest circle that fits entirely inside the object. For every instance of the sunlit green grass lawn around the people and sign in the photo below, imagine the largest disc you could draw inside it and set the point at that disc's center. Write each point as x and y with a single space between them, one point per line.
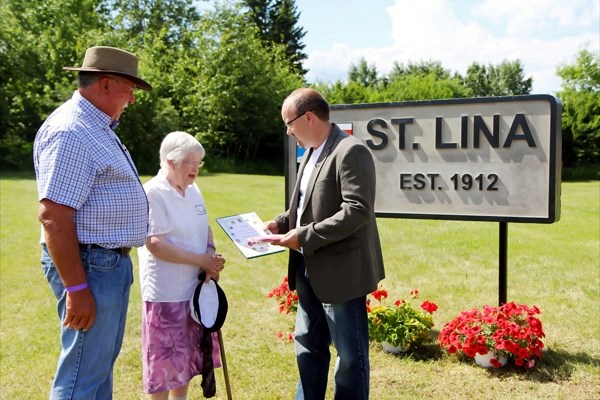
452 263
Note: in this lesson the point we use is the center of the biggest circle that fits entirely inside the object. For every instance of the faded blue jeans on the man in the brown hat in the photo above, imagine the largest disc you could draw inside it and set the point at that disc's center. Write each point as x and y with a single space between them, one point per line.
85 364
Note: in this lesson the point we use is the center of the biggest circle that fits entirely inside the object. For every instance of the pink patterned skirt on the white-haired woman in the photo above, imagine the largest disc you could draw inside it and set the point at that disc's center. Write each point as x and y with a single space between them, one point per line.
171 354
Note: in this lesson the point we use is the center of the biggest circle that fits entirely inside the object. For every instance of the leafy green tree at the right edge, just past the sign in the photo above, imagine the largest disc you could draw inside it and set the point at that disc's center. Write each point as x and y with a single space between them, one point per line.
580 96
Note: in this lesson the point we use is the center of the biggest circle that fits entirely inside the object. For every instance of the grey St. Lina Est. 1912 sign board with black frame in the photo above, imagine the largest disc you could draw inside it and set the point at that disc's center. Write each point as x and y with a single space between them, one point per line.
489 159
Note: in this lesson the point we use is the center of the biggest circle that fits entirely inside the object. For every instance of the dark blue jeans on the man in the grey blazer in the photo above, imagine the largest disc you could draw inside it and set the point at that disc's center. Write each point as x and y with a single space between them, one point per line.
317 325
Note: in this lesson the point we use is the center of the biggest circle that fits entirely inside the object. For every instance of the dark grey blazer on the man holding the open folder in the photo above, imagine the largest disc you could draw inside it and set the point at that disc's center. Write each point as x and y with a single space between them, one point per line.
338 230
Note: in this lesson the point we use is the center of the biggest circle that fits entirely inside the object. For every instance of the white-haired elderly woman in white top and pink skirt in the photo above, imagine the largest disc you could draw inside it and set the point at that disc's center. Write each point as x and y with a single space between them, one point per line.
178 247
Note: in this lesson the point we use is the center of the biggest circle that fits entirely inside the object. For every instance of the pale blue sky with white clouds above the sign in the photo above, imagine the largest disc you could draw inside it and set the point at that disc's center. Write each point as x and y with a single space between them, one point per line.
542 34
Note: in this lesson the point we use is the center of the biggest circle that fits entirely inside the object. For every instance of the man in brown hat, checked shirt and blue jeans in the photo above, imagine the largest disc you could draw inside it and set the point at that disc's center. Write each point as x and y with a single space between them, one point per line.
93 210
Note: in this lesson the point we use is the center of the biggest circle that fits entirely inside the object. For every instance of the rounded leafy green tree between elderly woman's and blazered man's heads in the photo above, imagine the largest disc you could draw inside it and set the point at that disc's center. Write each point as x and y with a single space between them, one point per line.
233 101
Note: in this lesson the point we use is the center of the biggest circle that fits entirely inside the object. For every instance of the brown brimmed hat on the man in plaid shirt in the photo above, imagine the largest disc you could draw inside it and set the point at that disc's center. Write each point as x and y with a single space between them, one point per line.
111 60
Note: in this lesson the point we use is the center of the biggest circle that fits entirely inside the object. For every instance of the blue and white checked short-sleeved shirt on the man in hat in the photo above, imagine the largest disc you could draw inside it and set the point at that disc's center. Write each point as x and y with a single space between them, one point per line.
81 163
